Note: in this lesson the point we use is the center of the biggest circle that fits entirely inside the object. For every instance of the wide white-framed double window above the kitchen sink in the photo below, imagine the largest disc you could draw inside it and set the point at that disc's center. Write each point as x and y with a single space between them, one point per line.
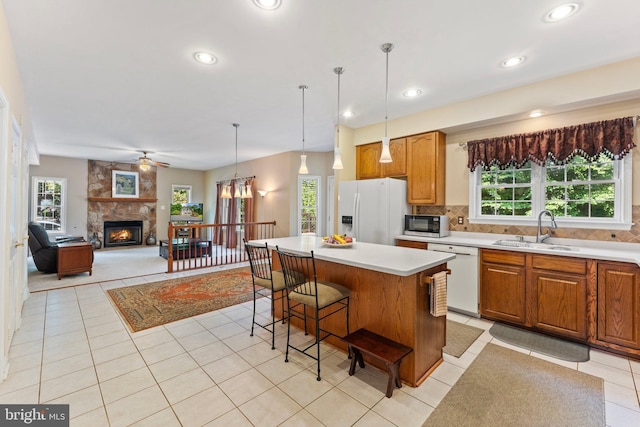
578 193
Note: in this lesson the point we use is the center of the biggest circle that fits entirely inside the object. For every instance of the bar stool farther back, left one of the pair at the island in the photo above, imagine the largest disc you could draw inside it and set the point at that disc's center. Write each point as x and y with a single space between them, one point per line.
266 283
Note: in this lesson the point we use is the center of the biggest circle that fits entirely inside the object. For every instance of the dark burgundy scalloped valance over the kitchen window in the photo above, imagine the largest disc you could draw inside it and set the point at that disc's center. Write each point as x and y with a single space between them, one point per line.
613 138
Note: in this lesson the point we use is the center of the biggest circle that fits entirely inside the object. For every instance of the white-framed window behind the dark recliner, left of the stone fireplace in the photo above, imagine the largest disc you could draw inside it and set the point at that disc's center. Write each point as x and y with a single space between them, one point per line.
48 206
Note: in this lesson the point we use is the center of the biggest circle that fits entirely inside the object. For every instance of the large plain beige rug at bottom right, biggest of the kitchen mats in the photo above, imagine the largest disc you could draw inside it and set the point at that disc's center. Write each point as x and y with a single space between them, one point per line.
503 387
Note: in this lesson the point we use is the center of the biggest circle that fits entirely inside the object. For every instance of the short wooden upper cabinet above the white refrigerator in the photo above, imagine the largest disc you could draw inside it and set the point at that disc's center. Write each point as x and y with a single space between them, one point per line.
368 164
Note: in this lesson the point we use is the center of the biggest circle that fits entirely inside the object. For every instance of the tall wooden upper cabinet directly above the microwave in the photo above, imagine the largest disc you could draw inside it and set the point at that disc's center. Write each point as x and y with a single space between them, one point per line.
426 169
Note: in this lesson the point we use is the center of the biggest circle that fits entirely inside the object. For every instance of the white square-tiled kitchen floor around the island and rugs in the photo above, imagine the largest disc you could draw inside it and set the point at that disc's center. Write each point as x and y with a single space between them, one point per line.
74 348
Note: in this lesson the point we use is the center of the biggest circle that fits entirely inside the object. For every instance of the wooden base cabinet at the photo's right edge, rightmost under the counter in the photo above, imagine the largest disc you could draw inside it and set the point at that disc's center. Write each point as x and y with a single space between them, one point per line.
618 304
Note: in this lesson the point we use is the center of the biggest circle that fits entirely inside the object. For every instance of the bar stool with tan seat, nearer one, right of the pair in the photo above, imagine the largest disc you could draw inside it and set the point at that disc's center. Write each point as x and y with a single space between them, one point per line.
309 292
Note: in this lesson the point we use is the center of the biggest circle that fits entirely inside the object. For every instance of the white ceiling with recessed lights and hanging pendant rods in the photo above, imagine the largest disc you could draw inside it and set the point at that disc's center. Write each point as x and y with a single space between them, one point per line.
106 79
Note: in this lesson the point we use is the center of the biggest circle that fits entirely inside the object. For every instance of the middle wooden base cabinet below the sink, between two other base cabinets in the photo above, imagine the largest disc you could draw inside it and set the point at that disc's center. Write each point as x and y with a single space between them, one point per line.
557 289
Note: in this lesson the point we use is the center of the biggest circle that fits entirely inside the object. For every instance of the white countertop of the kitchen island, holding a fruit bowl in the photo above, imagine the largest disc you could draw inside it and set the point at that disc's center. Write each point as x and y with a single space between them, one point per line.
384 258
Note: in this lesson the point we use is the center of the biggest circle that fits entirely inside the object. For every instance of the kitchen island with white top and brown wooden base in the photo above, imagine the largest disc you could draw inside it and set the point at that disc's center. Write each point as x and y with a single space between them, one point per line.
389 296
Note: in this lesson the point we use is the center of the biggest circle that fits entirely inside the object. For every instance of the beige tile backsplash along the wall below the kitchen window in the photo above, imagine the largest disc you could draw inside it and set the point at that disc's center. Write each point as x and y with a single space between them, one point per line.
453 212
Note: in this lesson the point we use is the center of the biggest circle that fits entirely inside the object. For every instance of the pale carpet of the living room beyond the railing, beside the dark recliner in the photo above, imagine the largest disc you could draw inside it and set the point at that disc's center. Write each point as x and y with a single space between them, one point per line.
108 264
